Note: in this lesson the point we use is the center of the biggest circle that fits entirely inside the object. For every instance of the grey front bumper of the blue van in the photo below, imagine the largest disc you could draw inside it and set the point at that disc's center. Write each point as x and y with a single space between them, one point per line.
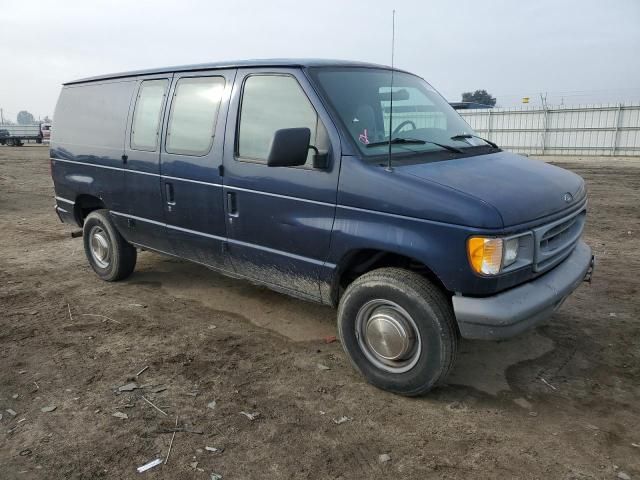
518 309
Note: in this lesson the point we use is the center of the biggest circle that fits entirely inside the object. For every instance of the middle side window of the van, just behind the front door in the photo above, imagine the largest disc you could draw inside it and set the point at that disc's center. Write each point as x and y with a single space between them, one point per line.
194 110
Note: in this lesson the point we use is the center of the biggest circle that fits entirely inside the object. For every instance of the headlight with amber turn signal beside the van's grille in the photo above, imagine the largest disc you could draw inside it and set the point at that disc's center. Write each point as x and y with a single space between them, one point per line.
490 255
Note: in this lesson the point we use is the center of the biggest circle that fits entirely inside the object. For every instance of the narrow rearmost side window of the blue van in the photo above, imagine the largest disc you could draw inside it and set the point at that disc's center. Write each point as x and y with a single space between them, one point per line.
146 117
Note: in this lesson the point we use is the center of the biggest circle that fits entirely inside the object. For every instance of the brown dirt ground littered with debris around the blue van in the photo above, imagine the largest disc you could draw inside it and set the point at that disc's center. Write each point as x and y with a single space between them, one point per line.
560 402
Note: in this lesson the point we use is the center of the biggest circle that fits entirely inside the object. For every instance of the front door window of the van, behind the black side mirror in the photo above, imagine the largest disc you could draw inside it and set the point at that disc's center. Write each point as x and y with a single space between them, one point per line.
270 103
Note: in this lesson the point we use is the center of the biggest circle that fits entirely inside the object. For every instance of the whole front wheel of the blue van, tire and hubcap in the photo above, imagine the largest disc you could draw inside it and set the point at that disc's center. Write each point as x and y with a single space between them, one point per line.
398 330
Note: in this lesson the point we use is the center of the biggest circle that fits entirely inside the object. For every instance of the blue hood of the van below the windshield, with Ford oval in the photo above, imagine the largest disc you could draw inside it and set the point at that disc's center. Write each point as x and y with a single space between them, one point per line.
519 188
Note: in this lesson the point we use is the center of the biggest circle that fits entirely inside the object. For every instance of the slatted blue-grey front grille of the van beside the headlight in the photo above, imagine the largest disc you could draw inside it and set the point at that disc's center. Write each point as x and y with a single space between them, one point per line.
556 240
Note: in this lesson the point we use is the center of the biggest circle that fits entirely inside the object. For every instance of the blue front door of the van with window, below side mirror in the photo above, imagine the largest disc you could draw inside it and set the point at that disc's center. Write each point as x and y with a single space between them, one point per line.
279 219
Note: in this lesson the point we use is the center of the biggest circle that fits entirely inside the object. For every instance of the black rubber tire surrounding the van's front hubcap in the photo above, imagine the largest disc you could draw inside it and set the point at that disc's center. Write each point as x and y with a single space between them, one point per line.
430 313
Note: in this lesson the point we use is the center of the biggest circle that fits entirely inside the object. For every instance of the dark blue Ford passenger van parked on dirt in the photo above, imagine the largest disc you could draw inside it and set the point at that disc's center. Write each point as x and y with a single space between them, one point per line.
344 183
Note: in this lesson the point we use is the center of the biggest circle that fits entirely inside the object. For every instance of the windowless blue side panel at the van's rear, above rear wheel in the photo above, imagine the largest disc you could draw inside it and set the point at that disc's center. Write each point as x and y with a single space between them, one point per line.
87 143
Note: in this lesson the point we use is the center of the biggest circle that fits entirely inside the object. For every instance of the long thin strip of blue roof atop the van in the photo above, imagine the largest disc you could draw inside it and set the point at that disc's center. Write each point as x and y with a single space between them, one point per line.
271 62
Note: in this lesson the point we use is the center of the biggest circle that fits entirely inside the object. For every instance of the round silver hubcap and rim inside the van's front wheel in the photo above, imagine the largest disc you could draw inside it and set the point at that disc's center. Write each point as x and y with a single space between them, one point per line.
388 336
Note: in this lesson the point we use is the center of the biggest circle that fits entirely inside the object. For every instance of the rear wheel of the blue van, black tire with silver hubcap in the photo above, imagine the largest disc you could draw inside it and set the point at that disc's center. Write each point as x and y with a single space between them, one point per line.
120 258
